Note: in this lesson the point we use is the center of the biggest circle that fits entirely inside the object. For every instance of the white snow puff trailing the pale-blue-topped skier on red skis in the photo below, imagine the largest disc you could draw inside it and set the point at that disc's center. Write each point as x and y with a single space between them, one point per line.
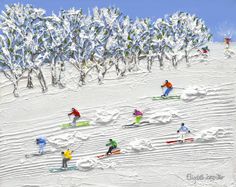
211 135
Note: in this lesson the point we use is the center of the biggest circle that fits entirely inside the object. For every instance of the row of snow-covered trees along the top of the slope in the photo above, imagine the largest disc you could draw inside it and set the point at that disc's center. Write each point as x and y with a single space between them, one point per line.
93 43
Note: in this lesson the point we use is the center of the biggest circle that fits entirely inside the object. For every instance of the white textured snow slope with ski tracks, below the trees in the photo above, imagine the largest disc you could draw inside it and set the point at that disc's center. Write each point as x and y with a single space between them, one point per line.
209 111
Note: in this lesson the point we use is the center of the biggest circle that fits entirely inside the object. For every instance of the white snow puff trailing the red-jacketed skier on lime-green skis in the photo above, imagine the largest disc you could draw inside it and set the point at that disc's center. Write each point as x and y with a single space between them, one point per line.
106 116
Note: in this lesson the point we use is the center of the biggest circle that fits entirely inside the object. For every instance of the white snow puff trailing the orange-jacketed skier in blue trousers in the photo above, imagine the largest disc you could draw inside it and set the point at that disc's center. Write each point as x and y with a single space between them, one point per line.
193 92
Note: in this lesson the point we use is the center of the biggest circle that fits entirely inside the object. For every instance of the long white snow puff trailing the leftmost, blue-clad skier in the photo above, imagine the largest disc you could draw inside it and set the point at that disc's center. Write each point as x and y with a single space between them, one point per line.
68 139
